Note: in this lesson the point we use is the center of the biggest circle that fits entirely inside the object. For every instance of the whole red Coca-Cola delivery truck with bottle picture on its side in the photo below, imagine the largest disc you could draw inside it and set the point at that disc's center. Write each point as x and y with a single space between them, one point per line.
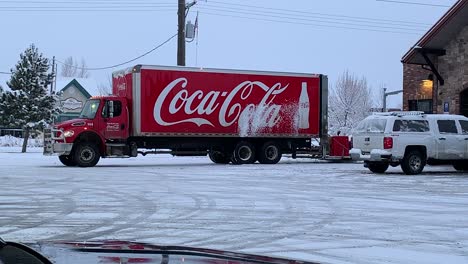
230 115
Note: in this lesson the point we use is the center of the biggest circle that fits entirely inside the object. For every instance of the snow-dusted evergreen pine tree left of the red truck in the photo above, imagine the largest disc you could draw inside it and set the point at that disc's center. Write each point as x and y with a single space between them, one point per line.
29 103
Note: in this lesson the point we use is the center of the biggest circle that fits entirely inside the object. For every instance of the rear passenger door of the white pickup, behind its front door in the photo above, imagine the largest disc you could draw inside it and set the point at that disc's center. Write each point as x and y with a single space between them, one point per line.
449 145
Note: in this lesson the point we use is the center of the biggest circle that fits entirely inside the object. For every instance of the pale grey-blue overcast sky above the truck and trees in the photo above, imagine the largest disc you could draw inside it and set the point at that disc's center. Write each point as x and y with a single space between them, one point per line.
367 37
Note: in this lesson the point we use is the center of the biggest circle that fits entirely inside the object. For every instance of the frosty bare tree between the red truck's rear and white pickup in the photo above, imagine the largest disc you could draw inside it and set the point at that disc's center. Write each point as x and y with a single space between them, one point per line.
350 101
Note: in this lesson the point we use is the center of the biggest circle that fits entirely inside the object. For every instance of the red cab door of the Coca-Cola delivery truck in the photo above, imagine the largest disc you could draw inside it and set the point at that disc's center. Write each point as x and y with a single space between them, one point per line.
115 116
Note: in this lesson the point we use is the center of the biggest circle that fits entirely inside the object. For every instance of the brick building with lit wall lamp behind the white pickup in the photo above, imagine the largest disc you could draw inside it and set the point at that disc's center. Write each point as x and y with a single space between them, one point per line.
435 69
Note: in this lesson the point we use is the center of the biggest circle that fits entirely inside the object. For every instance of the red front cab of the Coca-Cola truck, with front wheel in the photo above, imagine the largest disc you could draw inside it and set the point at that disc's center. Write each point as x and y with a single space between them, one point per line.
101 130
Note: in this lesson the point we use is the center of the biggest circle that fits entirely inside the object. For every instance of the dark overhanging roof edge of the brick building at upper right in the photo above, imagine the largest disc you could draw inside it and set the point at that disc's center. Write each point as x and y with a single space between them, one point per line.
438 36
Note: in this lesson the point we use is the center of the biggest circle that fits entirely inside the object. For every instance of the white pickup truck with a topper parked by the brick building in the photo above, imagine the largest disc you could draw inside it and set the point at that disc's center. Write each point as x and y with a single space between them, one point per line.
411 140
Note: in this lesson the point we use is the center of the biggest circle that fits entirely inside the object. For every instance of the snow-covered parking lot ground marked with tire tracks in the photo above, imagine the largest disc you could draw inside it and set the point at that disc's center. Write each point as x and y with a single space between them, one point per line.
329 212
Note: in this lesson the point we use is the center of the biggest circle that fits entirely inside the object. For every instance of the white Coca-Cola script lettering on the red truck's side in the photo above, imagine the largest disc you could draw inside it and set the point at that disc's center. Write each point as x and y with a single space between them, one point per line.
199 103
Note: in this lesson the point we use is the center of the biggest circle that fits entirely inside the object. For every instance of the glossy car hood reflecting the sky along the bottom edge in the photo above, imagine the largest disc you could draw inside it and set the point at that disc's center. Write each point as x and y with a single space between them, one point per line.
132 252
